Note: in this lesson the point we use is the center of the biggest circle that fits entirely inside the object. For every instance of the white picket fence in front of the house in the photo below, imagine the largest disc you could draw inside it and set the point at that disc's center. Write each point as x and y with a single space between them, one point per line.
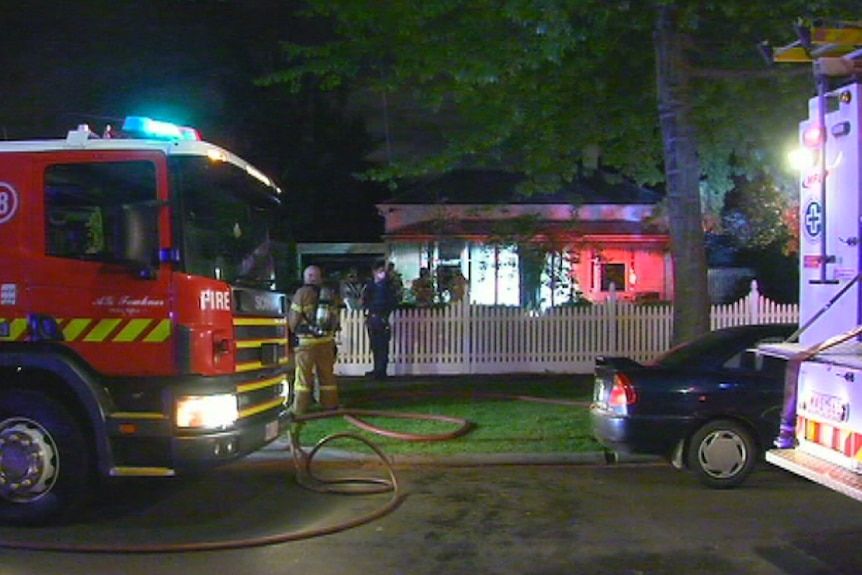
474 339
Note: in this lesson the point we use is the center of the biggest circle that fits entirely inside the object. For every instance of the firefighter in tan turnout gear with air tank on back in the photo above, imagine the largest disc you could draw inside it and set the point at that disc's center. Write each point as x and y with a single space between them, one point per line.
313 317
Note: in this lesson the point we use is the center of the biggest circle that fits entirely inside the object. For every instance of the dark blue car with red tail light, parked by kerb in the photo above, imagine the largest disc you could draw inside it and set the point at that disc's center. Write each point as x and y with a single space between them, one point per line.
711 405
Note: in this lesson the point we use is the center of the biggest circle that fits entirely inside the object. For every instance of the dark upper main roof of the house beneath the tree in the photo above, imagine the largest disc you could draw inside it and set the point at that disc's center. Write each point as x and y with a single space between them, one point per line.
502 187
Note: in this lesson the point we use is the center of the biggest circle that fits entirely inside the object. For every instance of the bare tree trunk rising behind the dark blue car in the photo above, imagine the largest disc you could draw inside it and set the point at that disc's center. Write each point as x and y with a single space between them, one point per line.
682 172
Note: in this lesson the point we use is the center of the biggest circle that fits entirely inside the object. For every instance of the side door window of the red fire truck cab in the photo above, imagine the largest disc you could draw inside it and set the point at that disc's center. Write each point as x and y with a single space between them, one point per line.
83 200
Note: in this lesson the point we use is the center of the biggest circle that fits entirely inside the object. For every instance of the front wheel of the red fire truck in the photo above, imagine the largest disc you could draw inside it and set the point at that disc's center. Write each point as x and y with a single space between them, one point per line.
44 460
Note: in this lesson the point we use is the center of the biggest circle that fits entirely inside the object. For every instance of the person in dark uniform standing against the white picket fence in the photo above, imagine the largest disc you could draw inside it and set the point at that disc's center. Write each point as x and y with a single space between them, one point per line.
378 301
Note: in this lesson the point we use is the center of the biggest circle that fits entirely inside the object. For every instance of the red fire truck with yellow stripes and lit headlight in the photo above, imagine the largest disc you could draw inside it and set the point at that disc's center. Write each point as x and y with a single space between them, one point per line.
140 330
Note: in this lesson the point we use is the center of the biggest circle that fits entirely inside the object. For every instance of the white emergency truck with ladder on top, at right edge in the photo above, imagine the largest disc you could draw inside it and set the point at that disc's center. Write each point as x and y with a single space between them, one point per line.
824 386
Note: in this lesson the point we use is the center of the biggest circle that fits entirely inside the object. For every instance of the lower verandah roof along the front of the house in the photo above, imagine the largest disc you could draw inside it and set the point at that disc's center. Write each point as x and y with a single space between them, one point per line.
626 230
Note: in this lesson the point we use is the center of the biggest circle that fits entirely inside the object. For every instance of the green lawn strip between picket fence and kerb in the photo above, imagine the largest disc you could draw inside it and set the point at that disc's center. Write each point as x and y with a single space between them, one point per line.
511 414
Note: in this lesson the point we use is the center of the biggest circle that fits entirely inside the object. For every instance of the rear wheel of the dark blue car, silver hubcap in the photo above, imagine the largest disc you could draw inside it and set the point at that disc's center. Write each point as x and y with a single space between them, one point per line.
722 454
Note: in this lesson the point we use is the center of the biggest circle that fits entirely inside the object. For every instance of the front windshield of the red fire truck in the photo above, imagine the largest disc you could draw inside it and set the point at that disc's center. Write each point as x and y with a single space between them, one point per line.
224 219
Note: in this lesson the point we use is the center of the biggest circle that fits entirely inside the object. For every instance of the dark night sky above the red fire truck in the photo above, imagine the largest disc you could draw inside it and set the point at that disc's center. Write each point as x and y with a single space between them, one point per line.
194 63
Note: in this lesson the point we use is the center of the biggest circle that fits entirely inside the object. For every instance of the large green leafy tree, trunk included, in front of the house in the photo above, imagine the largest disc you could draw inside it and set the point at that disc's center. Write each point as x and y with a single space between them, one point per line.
553 87
